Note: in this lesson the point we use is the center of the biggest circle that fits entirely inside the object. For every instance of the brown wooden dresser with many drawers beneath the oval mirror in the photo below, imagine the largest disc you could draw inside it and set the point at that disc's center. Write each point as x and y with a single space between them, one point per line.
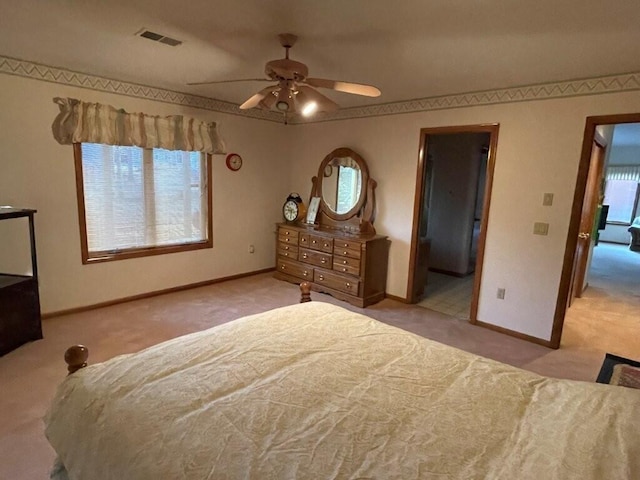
351 267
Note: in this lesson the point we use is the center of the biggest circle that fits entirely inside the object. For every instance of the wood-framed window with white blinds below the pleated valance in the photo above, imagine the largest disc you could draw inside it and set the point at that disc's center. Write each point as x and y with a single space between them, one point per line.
135 202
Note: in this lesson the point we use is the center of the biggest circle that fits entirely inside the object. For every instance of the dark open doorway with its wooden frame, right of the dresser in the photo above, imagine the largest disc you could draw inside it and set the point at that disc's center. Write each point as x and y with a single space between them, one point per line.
451 205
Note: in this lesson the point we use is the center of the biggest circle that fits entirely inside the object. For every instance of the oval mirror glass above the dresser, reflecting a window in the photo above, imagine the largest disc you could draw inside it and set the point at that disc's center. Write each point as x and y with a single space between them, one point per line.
341 184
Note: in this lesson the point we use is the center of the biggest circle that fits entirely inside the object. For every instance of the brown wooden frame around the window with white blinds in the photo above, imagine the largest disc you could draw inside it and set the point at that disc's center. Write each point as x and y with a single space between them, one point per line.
137 252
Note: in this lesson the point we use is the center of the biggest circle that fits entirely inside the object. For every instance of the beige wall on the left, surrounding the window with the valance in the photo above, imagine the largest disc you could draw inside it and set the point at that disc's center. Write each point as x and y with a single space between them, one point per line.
37 172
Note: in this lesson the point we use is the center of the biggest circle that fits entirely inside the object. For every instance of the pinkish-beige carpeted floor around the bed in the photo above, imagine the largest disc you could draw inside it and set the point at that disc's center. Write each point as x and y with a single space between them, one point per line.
29 375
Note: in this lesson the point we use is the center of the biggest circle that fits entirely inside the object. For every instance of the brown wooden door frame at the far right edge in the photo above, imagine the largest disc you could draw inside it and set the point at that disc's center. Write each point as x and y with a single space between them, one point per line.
576 212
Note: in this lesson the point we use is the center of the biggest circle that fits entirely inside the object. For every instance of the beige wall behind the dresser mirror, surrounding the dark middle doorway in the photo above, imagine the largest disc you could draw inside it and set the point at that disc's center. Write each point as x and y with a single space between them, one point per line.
538 151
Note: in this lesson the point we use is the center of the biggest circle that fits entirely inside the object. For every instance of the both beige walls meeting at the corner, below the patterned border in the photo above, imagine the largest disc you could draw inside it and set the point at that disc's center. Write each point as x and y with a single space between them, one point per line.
538 151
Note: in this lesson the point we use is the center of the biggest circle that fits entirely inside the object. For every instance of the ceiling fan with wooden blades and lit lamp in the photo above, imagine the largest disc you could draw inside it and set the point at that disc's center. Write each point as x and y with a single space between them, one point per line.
293 92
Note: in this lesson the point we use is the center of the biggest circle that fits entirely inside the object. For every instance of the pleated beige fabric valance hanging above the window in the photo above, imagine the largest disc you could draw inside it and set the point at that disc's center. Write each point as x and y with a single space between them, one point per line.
84 122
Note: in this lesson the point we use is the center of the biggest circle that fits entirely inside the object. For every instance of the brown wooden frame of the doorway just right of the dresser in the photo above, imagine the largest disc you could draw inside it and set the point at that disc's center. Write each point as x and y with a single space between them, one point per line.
490 128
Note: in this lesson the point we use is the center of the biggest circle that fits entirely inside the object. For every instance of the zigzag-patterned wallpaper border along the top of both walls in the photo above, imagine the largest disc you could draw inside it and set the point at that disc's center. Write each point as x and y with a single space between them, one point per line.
571 88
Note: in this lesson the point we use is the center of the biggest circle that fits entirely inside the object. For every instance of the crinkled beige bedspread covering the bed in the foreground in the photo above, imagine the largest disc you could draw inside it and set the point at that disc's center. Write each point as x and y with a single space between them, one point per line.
314 391
